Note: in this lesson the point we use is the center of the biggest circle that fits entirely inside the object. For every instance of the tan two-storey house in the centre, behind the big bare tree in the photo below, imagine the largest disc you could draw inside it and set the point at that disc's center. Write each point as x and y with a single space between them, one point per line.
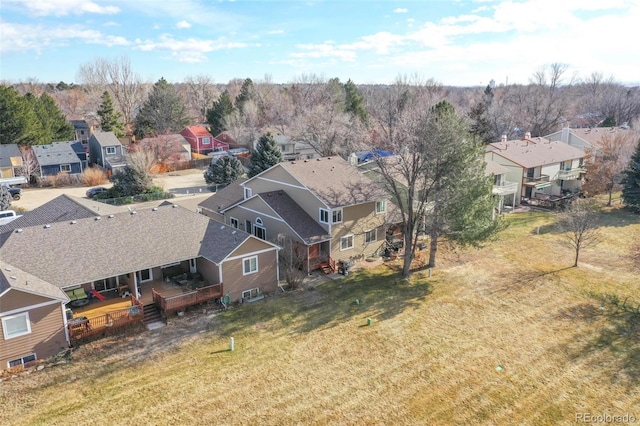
323 206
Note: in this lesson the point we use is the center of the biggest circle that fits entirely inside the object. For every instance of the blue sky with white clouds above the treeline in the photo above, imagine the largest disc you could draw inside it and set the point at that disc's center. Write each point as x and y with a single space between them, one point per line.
456 42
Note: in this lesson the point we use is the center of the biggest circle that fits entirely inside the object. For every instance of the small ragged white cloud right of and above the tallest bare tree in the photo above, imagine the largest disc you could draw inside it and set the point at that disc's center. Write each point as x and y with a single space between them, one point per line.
190 50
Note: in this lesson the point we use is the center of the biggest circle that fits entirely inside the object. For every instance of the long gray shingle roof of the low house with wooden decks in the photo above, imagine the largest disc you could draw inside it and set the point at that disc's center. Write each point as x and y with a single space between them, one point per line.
71 253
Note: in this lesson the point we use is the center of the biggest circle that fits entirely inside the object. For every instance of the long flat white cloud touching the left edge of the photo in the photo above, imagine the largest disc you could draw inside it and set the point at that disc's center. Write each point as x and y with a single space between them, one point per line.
22 37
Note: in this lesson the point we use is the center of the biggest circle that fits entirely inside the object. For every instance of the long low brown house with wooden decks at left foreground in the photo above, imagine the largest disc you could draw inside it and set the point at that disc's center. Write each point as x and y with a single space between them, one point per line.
149 242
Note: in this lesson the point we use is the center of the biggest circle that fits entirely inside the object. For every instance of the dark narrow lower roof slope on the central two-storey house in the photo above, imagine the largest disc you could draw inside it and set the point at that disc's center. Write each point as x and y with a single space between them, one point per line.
295 216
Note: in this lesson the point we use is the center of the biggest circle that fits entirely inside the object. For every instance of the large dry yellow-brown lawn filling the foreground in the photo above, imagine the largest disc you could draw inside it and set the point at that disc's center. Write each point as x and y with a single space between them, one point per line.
509 334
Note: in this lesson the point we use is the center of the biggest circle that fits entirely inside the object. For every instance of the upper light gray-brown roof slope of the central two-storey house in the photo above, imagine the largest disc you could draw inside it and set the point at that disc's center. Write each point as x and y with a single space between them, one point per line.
335 181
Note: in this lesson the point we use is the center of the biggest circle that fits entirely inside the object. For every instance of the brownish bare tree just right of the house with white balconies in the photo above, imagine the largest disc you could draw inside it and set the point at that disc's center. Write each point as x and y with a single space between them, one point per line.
606 160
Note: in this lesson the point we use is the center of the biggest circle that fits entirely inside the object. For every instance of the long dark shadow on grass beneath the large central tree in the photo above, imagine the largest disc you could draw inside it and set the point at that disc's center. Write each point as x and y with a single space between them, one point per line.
379 294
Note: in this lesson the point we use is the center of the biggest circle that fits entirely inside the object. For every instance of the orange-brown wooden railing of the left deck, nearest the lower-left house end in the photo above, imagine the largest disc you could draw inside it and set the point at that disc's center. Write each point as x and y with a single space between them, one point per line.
83 327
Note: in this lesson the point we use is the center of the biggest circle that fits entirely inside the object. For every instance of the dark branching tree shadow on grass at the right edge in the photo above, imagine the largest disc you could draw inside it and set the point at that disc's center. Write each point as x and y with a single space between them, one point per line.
616 335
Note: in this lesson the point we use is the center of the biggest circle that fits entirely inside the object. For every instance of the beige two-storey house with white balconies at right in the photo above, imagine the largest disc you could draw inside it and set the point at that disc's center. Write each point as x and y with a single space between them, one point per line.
541 168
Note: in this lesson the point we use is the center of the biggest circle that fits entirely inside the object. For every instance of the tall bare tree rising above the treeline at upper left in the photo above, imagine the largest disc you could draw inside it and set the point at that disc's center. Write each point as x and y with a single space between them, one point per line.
117 76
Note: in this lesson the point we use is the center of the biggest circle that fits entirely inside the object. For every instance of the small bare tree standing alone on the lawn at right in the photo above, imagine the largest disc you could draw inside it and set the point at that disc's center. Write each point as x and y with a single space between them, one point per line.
580 226
